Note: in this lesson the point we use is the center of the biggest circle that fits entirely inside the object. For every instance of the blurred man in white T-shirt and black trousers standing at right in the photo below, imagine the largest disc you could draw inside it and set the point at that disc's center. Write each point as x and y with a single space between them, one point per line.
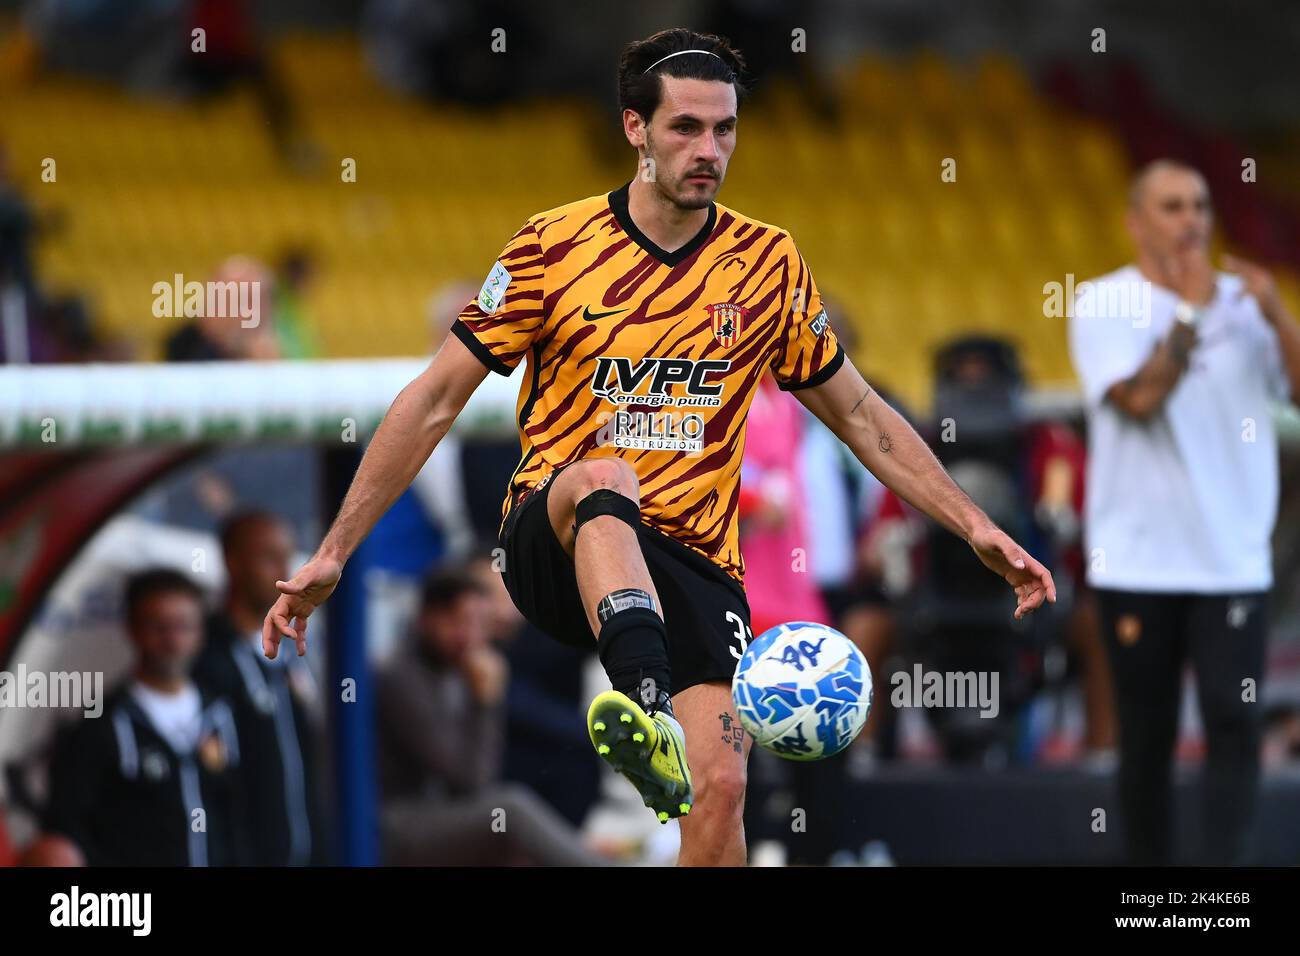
1181 366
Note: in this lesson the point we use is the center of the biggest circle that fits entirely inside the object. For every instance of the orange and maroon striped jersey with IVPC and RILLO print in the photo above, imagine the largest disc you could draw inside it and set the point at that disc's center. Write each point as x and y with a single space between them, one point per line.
648 356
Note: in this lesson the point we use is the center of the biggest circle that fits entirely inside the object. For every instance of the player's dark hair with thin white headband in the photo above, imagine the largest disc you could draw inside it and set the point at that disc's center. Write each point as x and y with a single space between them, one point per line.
640 90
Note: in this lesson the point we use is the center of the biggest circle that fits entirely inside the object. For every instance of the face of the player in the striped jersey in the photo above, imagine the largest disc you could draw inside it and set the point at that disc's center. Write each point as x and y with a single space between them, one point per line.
691 139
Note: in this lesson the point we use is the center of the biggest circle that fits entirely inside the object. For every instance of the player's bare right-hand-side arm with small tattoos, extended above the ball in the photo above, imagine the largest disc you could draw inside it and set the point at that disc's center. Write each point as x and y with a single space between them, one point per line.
886 444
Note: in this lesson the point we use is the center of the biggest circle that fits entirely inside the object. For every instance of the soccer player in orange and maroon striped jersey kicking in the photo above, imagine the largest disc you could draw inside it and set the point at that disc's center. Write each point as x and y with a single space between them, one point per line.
647 318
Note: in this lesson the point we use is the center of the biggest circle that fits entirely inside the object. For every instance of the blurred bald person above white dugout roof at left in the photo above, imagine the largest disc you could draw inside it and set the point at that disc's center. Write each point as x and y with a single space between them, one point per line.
224 338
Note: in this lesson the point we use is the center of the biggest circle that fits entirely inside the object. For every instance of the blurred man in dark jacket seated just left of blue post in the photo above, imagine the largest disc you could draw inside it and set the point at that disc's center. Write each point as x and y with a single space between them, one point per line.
276 704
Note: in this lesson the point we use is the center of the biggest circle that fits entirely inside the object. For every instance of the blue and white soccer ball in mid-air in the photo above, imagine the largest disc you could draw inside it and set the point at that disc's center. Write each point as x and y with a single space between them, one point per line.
803 691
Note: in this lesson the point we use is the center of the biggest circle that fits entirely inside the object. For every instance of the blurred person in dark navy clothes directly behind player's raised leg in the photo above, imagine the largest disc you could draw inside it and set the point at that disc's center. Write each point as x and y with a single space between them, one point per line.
548 747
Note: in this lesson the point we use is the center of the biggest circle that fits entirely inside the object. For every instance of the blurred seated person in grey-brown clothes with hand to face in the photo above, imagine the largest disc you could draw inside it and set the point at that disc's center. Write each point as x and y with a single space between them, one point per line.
441 732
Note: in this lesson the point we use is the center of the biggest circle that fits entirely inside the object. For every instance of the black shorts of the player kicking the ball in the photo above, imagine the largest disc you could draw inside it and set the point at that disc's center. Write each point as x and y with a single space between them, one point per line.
705 611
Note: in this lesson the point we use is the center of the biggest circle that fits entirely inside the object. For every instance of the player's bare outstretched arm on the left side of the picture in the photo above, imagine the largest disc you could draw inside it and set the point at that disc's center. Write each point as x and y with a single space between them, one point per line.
415 423
